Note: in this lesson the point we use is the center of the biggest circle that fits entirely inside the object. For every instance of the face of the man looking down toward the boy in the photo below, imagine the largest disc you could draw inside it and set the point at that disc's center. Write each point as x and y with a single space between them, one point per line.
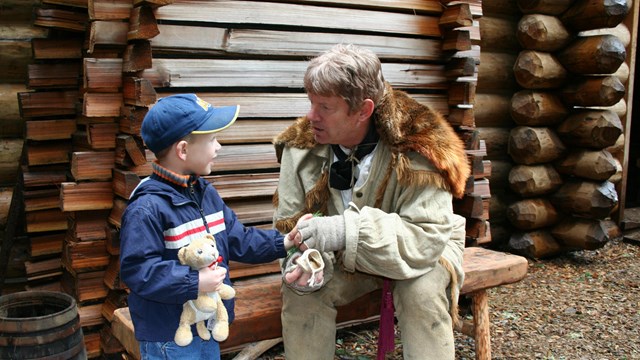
331 121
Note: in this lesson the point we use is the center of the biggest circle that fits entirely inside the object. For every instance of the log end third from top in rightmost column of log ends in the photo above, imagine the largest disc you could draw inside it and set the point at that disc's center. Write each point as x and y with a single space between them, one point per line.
593 91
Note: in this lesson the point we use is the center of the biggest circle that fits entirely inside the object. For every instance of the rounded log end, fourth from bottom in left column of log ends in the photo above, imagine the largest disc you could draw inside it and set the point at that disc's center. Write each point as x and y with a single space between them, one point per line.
531 145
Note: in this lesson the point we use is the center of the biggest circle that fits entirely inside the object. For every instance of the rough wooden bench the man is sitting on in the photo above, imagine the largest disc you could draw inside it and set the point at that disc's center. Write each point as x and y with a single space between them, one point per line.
258 304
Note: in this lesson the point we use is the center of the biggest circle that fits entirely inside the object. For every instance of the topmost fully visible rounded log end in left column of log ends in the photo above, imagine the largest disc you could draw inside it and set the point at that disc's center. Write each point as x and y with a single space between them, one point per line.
542 33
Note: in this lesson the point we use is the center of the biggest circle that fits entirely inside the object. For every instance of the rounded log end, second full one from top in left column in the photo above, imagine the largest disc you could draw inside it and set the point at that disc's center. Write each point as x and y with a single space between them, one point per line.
538 70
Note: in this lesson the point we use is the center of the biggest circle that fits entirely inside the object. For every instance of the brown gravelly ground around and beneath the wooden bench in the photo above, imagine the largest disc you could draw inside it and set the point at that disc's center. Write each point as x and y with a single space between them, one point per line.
583 305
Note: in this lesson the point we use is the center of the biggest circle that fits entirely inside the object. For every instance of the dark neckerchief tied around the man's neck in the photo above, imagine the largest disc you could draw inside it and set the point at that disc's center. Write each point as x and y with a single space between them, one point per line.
341 173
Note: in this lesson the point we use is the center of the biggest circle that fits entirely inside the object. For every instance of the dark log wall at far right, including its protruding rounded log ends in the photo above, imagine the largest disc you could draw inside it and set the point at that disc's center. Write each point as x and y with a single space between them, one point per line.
553 75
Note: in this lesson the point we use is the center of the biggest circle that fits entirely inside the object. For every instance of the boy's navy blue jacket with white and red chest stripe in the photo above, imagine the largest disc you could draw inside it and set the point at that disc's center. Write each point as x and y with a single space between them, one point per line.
162 217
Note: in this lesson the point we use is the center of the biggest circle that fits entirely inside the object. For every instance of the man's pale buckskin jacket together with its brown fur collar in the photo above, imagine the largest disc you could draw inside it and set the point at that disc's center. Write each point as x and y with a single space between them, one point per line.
400 221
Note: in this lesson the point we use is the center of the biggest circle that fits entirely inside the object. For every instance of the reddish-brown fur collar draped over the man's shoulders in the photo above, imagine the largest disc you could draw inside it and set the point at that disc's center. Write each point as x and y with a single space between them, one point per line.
405 125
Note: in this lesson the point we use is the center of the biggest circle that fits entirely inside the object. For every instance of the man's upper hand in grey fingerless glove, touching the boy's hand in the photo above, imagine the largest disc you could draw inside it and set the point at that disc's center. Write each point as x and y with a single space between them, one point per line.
324 233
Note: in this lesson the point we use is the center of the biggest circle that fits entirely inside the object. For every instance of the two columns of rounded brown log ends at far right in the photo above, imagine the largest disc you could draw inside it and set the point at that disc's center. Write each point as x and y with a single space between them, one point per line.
572 69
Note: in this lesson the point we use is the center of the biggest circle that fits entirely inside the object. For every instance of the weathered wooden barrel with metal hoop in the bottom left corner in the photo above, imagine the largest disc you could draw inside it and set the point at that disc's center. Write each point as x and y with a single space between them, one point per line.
40 325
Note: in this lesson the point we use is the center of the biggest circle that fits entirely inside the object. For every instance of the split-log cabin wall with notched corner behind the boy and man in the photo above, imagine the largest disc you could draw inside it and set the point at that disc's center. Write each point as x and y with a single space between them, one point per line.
105 62
